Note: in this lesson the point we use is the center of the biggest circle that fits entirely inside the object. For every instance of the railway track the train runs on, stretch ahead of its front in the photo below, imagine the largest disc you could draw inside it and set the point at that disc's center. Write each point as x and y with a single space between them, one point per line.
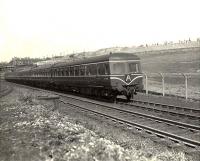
183 114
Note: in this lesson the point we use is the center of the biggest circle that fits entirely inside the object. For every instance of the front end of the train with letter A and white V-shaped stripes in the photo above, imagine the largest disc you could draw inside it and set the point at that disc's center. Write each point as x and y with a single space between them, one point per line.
126 75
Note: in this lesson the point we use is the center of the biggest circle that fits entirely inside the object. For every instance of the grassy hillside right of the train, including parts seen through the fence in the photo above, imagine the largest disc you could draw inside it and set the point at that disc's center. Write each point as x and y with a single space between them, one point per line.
175 61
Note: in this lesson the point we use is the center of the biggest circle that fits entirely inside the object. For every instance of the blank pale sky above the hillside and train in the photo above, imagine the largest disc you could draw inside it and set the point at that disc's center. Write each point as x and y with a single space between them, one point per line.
41 28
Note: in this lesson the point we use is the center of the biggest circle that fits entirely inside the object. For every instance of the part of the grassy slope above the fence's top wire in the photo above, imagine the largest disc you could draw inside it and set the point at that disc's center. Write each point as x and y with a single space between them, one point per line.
180 61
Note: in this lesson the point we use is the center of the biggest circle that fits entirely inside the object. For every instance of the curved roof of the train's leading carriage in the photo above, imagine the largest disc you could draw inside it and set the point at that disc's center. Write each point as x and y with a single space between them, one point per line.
101 58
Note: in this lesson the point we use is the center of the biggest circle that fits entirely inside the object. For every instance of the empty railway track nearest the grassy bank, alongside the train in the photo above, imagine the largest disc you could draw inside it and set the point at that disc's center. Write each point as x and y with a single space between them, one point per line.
153 126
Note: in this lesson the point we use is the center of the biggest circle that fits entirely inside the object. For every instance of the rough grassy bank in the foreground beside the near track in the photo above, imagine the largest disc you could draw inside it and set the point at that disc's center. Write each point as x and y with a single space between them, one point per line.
31 130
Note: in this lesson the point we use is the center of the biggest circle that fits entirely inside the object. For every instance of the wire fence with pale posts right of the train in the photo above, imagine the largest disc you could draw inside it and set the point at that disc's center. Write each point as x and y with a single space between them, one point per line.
181 84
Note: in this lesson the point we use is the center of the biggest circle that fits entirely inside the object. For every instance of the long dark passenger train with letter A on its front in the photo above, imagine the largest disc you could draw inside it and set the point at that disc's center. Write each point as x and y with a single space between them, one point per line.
109 76
